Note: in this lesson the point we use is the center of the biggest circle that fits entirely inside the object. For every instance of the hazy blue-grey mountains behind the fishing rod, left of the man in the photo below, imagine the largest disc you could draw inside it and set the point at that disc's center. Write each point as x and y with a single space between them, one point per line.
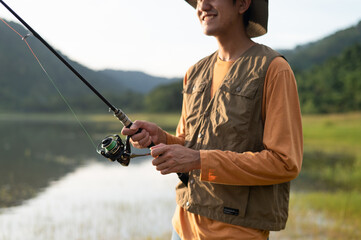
24 86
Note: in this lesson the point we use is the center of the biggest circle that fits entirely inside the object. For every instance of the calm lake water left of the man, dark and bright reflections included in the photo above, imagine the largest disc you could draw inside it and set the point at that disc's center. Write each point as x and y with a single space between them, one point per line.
53 185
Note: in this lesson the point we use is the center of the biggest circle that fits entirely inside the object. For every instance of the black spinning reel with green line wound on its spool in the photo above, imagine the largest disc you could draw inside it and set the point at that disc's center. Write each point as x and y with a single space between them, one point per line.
113 148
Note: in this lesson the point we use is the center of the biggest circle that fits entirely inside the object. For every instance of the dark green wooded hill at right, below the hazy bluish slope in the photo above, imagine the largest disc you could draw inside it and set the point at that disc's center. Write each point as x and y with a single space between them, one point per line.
333 86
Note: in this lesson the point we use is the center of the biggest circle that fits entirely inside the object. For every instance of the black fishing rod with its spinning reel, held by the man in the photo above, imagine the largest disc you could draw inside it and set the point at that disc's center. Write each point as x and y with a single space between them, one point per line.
112 146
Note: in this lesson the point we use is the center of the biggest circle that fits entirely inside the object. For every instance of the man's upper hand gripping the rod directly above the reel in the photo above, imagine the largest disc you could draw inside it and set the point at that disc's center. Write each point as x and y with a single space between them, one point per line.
150 133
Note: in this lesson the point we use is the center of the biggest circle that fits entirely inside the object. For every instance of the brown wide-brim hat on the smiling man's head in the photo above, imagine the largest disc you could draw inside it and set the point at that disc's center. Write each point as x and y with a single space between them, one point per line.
258 17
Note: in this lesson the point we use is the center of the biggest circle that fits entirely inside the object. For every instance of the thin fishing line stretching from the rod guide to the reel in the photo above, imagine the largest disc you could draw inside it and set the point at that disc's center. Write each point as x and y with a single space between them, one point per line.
52 82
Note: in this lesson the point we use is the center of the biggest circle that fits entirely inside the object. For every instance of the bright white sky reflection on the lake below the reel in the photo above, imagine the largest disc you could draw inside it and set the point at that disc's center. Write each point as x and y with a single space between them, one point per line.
96 201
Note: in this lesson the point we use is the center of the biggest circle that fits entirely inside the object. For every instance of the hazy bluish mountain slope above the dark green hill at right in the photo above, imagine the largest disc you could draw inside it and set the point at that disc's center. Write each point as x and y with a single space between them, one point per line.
310 54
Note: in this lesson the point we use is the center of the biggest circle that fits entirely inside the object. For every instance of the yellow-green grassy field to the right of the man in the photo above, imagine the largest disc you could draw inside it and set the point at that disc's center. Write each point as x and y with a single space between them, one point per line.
334 214
